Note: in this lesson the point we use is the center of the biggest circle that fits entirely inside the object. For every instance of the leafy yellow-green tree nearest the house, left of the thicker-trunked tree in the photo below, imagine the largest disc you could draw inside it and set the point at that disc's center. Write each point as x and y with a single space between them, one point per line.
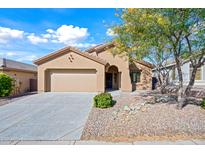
139 39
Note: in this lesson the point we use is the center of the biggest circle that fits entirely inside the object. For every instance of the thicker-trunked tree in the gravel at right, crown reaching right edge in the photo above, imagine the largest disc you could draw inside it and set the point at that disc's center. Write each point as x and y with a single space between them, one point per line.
185 30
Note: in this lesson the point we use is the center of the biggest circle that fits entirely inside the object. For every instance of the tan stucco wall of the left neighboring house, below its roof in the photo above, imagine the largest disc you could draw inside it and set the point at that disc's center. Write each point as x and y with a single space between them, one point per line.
23 78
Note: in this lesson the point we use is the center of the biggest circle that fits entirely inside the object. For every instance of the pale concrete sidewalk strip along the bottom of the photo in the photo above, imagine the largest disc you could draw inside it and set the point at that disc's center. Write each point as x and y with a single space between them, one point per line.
81 142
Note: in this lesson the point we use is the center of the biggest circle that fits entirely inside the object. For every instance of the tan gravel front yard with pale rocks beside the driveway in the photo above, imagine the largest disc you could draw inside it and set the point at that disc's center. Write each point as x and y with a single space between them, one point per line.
131 119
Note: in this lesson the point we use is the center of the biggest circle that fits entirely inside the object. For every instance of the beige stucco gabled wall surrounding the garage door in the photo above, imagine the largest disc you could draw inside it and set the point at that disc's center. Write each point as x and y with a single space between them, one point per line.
63 62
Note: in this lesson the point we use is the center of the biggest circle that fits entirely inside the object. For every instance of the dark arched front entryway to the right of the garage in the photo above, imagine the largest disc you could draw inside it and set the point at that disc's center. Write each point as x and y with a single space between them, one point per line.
112 78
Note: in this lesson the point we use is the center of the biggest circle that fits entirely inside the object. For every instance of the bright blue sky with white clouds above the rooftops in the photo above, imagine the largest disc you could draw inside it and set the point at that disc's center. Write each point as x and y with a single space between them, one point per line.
27 34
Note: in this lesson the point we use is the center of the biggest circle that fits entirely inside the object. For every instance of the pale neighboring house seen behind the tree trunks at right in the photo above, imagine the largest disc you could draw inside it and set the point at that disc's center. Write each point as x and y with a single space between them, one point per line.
186 70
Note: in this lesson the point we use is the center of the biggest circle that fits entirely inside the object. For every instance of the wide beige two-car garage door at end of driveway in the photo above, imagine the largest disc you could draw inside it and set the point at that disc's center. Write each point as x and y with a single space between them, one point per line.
79 80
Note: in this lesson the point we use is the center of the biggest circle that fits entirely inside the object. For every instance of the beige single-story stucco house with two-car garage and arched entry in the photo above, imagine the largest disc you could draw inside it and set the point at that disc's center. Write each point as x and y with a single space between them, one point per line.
93 70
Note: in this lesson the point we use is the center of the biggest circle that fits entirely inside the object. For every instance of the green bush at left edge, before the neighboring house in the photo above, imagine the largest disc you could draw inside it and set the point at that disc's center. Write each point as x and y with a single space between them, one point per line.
6 85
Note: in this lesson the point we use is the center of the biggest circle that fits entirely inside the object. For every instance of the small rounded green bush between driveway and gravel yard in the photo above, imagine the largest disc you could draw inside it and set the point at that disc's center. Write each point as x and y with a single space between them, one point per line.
103 100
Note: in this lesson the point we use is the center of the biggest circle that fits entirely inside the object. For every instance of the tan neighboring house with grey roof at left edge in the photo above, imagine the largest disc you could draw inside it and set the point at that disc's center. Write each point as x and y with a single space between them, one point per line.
24 75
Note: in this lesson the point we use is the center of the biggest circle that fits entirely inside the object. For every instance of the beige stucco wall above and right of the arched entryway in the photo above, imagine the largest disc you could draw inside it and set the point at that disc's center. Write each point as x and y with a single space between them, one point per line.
121 62
